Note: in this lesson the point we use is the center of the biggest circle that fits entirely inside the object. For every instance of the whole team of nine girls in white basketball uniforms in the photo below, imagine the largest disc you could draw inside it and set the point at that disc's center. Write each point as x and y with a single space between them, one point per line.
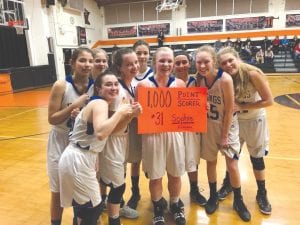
105 121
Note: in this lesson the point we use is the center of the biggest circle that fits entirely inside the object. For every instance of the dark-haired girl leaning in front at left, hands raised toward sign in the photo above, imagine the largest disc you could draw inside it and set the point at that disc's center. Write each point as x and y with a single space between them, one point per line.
78 183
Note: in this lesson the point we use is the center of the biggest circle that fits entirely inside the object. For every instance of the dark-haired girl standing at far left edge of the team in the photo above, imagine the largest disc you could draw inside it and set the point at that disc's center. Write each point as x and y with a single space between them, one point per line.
66 99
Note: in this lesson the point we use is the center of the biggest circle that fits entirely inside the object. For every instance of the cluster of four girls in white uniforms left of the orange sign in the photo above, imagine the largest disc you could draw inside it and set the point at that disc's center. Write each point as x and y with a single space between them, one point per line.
90 112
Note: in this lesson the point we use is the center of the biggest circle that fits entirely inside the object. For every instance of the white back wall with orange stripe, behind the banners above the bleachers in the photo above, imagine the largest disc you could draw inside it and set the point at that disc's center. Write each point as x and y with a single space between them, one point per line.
178 22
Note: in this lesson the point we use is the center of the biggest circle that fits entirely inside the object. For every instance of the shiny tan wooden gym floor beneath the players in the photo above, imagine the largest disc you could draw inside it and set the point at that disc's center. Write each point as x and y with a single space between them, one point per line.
24 191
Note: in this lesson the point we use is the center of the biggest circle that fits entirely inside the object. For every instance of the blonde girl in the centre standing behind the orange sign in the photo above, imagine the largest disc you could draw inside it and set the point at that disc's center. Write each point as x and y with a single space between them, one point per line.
165 150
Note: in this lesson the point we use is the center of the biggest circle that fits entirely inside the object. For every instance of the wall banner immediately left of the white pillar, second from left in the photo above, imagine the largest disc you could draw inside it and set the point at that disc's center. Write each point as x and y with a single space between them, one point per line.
153 29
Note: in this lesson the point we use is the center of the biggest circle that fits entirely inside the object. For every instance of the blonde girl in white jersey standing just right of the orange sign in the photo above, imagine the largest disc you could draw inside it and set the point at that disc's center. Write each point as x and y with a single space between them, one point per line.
222 129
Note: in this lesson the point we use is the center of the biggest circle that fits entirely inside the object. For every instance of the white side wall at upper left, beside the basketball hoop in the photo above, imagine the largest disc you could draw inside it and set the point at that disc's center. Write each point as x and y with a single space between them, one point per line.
54 28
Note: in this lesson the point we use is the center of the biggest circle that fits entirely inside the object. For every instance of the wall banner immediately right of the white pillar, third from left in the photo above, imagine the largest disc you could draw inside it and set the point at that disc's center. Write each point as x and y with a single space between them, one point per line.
205 26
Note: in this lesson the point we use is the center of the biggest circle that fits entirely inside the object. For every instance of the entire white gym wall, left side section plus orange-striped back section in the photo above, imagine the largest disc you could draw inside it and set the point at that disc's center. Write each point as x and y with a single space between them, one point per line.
55 28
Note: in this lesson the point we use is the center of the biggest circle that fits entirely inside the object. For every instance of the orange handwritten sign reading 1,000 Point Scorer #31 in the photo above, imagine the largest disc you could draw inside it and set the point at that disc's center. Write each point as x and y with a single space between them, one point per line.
172 110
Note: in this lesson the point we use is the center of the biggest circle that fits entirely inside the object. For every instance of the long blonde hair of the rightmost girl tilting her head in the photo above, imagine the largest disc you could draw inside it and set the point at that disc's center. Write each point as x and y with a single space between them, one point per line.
241 79
